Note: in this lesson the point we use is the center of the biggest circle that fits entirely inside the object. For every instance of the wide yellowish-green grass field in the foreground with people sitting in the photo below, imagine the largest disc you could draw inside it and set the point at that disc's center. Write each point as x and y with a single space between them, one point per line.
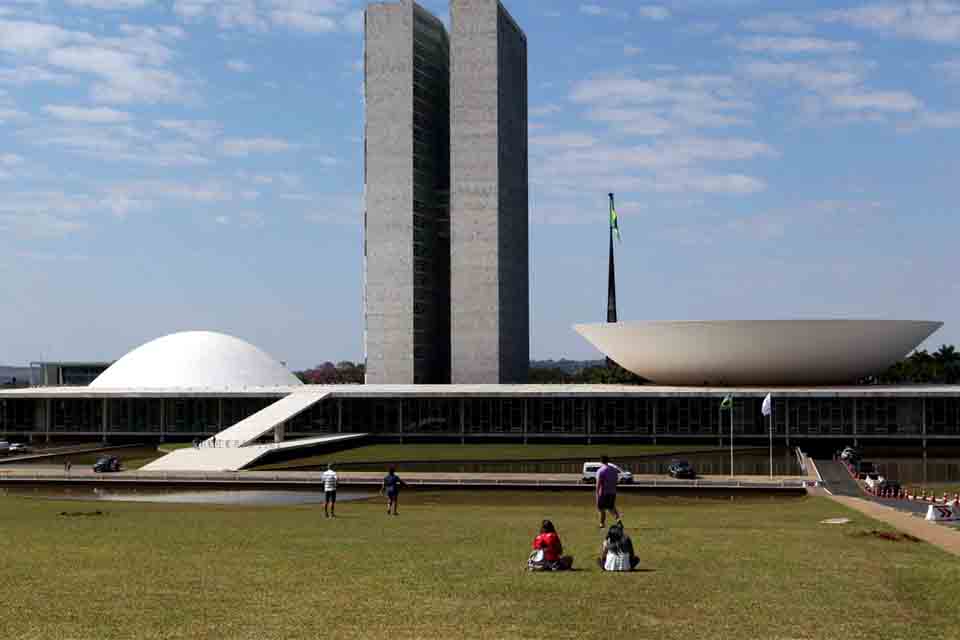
452 566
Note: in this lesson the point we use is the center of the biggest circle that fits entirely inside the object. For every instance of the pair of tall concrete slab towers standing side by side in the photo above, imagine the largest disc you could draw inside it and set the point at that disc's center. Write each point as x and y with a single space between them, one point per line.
446 221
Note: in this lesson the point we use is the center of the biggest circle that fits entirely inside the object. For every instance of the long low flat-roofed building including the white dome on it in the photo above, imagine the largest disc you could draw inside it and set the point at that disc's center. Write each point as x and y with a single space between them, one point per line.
197 384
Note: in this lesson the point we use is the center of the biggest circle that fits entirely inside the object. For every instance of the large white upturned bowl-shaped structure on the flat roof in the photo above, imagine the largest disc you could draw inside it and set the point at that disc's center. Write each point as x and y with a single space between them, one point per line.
757 352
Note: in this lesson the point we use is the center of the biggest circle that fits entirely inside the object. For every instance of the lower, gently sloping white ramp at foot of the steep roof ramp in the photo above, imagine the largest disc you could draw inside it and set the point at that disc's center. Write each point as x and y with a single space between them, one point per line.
236 458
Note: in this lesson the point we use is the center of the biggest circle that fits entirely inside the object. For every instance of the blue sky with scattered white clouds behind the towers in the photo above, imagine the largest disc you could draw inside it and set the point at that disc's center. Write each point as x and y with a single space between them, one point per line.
197 164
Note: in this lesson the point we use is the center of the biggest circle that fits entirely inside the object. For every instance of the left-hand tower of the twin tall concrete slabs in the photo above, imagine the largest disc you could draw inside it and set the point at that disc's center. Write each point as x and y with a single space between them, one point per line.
407 182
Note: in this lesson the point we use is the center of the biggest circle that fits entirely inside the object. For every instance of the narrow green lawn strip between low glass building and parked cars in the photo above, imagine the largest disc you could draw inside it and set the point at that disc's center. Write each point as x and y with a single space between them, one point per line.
387 453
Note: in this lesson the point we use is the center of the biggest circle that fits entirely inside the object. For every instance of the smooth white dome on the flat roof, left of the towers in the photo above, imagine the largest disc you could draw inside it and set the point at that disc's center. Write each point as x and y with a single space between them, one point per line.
195 359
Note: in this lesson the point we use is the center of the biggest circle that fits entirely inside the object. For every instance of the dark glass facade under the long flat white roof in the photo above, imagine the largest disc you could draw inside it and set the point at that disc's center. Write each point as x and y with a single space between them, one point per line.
574 416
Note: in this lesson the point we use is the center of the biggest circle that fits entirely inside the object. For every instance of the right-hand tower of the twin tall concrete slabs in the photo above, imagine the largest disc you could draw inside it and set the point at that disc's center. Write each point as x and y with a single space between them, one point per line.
488 207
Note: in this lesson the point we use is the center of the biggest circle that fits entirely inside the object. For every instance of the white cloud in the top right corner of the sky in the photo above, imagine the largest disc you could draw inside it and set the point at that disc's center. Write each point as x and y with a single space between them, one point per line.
931 20
